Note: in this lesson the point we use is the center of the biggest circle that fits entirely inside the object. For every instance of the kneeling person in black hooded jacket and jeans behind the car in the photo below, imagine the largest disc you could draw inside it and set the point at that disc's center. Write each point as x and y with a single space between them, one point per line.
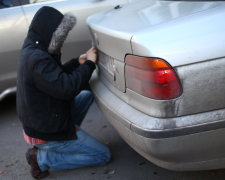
52 100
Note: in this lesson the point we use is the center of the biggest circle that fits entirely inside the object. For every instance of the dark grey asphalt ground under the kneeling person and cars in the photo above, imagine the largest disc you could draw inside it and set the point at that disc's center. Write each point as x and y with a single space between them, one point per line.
125 165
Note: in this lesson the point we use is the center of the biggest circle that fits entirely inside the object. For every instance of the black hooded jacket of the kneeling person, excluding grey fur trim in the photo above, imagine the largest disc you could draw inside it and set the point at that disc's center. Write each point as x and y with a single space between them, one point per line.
45 87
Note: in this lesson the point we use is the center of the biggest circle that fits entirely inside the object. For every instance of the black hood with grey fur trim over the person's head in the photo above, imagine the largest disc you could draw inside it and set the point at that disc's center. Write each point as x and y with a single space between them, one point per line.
49 29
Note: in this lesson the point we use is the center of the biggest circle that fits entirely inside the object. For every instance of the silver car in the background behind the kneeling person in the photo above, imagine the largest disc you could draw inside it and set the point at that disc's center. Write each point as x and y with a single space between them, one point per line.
15 17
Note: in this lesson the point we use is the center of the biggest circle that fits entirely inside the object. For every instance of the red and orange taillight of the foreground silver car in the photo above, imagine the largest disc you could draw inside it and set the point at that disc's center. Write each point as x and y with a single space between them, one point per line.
151 77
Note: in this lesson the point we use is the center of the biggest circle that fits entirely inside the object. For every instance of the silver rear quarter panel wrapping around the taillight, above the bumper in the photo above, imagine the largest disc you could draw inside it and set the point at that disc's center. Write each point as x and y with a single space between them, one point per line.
195 46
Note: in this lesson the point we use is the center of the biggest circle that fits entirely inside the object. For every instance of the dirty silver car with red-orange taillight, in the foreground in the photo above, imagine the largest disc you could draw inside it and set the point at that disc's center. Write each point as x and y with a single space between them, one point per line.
161 79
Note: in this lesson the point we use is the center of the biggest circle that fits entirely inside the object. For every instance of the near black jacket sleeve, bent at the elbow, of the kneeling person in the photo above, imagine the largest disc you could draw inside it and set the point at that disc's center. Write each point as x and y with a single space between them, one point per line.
51 79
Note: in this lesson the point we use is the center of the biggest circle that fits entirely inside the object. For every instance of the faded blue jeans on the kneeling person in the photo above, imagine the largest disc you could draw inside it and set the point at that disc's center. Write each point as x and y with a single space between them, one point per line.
84 151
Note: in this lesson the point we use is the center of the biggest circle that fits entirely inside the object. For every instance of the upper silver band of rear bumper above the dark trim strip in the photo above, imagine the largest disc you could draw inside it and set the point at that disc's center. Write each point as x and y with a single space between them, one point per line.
150 126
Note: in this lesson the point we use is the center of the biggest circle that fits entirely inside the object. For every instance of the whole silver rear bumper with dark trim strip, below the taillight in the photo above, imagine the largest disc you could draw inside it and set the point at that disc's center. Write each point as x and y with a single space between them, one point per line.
193 142
